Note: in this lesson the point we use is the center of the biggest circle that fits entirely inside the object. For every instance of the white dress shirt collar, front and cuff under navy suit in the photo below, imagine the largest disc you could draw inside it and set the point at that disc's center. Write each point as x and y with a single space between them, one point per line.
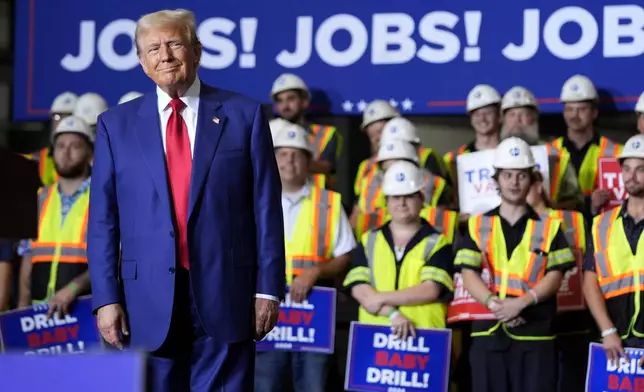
189 114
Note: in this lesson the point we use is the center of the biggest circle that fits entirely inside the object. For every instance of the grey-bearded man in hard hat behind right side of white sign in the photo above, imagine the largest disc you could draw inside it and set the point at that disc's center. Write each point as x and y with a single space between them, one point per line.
521 119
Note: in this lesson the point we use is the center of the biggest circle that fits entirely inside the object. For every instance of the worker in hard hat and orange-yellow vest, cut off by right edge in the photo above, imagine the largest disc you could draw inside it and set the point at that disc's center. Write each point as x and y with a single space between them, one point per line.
613 262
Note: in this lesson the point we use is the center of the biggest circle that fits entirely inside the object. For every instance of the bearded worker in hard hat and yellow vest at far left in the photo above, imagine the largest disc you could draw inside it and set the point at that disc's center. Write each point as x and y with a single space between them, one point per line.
54 267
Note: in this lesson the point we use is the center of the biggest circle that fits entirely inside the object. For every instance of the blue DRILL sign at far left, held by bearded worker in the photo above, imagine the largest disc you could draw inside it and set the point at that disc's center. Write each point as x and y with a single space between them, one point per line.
29 331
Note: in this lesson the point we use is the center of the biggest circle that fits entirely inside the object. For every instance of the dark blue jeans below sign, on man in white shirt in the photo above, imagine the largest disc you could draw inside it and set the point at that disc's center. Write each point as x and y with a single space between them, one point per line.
274 371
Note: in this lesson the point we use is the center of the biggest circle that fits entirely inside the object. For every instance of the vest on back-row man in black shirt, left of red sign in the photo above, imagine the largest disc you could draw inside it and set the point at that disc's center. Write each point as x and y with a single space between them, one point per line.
590 165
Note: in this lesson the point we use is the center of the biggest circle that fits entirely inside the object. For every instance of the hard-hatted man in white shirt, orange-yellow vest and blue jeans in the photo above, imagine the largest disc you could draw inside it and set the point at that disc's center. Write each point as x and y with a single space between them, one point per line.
318 246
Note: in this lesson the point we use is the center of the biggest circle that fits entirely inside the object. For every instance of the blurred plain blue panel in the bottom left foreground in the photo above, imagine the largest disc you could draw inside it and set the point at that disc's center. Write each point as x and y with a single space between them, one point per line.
122 372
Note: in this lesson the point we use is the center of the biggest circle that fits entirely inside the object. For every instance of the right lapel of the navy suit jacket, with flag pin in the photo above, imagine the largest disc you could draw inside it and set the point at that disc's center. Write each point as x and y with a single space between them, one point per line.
210 125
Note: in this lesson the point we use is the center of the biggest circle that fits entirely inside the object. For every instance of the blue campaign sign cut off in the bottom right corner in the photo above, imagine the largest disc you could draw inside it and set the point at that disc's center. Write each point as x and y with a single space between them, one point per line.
604 376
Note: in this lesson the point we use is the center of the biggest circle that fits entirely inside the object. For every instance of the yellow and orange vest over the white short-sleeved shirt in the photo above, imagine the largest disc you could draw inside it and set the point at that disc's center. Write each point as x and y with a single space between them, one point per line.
312 241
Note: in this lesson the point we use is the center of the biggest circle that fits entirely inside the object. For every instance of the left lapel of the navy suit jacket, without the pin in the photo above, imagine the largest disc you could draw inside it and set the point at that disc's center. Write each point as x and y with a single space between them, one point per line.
148 133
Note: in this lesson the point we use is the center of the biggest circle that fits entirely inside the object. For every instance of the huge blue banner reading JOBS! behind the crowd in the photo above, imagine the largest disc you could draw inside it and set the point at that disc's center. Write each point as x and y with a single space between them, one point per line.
422 56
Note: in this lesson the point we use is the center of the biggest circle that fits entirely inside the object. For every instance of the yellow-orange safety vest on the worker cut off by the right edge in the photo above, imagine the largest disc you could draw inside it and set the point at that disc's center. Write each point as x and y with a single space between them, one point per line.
619 272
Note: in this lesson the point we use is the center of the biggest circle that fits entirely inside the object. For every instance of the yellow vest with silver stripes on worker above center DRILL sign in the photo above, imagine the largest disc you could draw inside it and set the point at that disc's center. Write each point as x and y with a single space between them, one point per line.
383 274
